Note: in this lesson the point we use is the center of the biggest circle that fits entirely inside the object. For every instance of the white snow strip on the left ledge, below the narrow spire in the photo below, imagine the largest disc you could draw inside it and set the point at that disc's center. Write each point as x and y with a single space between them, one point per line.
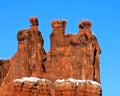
31 79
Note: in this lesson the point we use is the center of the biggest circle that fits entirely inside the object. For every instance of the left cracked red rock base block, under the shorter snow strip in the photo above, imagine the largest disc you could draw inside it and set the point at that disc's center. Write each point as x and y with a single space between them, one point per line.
27 88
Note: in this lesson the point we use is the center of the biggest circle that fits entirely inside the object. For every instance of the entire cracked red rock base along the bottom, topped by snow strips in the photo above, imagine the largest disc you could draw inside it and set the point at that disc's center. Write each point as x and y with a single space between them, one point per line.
44 87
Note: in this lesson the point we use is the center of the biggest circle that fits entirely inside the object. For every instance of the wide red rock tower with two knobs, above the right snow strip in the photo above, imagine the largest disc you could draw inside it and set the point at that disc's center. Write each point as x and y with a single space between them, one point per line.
71 55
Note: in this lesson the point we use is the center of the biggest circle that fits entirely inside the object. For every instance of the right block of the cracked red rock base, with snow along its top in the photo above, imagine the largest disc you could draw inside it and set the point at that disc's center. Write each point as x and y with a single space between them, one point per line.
77 88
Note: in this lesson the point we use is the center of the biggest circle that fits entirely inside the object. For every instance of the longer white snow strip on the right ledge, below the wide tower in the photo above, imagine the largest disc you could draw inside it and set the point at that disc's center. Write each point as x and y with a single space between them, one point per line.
78 81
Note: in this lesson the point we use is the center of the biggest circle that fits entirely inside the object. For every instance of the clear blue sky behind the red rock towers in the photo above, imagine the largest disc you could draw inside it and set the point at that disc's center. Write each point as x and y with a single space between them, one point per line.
105 15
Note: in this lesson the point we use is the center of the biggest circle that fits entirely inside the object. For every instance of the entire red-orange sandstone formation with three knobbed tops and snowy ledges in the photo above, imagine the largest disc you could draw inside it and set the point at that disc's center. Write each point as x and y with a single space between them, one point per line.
71 67
